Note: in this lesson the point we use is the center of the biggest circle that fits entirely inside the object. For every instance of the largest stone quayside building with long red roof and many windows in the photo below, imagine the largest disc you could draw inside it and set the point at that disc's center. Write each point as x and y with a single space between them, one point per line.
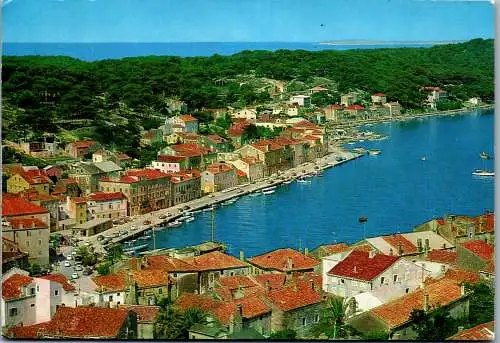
146 190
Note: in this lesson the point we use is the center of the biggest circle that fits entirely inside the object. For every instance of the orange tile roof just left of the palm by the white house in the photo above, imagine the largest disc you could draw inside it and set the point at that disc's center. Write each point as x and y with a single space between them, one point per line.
294 296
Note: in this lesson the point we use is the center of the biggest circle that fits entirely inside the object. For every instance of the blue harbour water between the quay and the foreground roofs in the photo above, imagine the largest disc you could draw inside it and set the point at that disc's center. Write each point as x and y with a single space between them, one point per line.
396 190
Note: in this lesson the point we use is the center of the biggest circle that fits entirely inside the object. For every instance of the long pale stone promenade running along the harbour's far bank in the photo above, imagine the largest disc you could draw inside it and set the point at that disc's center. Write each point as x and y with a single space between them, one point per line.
137 222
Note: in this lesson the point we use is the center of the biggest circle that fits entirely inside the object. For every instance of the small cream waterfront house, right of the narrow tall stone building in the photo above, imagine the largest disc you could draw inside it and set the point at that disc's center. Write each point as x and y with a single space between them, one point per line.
218 176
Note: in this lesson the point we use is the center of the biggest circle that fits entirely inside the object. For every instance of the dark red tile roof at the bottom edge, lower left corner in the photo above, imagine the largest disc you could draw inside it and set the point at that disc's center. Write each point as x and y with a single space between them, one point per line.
87 322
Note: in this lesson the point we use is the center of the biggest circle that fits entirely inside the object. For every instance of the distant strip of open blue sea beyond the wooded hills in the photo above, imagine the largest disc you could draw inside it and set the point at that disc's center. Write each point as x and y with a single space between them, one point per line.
102 51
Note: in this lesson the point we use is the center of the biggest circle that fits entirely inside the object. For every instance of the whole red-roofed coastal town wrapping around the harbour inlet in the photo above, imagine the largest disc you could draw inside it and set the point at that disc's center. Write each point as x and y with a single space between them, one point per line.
68 276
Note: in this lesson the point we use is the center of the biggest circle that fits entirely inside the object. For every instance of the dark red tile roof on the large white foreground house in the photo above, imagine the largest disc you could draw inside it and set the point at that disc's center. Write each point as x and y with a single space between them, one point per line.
359 265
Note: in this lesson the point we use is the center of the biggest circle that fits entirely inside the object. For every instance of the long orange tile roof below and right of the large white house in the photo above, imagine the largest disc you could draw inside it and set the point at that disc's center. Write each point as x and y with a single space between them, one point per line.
397 312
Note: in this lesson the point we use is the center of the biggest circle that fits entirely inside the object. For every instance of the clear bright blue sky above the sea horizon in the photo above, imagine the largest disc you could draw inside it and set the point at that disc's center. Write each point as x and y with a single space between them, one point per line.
244 20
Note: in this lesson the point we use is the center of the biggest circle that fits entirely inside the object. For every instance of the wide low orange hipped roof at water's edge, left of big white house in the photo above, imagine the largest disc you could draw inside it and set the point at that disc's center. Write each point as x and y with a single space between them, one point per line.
278 260
